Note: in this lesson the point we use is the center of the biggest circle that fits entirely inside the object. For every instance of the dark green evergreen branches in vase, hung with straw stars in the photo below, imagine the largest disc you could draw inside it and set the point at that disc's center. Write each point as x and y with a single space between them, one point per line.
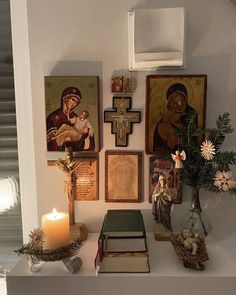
198 172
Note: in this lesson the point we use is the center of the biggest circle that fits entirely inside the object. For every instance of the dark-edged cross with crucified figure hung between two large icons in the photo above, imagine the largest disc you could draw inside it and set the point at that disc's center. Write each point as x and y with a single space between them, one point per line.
122 119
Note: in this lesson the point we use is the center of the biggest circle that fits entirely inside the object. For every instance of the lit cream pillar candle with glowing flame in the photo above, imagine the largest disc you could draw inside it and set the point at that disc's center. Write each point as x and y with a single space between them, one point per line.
56 228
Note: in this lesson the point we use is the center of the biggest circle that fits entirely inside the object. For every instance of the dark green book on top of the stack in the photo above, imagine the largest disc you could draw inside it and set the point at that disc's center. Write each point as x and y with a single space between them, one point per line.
123 223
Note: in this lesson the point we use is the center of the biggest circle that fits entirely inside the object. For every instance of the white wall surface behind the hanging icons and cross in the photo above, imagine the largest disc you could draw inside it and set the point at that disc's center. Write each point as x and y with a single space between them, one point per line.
75 37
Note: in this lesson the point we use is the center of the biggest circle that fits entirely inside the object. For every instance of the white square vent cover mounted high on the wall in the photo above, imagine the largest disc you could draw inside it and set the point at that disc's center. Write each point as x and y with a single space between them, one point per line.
156 38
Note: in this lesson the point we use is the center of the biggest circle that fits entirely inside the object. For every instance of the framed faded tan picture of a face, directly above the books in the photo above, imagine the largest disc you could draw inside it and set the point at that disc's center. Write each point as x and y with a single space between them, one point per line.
123 176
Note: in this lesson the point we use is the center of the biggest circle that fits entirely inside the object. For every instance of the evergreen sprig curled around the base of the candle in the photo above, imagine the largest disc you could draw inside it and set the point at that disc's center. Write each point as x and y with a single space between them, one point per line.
44 255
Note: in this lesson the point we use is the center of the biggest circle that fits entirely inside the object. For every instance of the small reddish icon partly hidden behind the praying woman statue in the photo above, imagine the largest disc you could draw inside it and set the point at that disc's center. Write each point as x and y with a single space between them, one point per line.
159 165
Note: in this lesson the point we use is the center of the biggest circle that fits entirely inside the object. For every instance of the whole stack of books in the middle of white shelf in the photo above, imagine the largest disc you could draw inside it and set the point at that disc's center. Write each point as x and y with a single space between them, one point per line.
122 243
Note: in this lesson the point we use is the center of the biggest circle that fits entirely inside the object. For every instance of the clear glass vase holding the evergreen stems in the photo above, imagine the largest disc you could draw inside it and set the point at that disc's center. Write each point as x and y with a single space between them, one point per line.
196 219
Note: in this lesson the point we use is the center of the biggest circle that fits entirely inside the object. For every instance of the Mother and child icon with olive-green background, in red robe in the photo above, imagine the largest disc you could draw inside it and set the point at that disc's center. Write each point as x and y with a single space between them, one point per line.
72 113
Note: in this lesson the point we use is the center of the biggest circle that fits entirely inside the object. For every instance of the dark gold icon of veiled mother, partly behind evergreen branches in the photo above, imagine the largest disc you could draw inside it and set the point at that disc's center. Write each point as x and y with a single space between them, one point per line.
169 101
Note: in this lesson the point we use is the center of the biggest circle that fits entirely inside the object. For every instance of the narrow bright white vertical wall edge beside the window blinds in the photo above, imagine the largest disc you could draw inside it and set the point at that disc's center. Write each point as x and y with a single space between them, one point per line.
25 127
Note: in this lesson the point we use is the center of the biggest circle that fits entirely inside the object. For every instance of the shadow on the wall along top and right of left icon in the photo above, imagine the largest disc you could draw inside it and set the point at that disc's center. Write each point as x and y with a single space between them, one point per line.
79 68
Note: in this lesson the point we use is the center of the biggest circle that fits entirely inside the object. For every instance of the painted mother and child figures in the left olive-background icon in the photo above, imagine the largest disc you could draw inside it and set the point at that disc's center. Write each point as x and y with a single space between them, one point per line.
65 127
